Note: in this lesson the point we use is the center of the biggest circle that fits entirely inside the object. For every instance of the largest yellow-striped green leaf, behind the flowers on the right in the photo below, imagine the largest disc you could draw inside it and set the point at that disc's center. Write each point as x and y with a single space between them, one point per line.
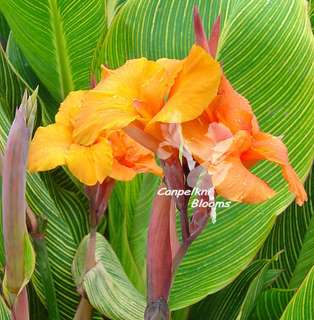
267 50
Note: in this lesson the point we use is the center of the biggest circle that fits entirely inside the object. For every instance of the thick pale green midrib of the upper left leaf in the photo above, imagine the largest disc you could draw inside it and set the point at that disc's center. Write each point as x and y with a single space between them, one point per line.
62 57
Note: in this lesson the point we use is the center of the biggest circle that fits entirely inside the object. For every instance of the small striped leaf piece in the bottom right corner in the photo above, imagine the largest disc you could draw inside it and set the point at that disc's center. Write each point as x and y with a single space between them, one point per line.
301 306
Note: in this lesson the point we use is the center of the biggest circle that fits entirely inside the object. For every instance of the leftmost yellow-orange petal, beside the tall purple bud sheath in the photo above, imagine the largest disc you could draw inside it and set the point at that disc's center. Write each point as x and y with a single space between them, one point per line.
49 147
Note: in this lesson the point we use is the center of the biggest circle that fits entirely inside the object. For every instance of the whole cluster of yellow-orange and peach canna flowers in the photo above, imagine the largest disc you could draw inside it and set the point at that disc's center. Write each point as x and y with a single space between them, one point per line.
142 100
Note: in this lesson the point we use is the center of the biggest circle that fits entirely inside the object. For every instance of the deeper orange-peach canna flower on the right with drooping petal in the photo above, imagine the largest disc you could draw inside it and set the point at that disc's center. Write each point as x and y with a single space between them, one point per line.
227 139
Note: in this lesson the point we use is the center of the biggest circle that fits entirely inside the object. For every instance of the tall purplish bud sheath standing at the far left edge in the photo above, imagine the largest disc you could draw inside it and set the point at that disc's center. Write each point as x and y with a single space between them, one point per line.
13 201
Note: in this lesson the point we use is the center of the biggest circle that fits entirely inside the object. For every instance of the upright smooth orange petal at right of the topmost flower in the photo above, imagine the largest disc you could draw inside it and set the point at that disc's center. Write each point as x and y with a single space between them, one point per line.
195 87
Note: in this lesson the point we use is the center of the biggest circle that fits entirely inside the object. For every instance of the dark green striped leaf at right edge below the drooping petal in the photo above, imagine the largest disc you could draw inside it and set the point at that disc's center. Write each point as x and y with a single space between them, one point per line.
294 234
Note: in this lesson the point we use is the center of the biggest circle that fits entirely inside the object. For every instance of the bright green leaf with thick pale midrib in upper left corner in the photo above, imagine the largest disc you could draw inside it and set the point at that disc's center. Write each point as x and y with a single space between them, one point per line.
58 39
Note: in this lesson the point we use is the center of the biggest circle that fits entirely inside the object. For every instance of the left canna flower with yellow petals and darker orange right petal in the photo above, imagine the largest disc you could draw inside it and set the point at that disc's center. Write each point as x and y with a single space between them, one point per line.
54 146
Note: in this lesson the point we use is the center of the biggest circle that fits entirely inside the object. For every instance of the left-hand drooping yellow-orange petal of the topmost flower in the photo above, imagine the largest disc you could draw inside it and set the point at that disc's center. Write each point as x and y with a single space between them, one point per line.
101 112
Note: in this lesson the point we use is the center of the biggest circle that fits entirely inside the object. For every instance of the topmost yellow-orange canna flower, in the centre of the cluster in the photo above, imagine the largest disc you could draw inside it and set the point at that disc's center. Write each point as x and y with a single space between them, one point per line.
163 91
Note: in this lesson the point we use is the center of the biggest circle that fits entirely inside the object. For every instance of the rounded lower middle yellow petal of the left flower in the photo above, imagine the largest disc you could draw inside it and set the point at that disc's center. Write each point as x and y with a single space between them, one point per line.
90 164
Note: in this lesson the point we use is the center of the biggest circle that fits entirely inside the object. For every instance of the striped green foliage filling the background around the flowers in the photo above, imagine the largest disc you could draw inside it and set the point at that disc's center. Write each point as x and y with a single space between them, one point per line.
256 262
